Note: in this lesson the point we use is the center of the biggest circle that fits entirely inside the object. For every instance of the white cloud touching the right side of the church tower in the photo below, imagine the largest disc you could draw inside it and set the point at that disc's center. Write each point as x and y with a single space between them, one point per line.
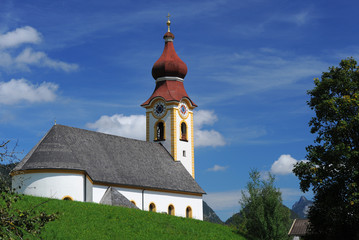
202 137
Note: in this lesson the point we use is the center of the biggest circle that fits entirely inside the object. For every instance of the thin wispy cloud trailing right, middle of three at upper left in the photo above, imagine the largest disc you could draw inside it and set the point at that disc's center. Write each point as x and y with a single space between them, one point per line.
30 57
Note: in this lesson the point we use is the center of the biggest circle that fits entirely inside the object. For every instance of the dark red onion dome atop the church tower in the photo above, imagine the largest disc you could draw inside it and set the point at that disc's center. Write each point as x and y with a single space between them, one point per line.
169 64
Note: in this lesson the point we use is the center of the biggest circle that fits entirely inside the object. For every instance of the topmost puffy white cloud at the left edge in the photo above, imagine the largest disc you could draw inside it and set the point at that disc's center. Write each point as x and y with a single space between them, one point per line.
19 36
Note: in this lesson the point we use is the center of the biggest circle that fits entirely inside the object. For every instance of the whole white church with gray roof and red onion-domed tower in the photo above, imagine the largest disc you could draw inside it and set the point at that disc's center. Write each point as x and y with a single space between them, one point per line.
154 175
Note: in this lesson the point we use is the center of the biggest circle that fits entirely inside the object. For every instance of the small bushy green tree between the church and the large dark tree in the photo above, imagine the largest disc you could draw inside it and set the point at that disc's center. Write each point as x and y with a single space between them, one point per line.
264 216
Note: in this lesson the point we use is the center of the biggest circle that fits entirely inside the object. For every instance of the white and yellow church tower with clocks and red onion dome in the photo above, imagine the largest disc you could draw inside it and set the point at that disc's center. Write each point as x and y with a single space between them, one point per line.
169 110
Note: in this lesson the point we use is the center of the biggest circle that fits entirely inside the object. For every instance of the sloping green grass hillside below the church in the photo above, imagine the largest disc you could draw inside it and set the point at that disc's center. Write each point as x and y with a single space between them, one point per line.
77 220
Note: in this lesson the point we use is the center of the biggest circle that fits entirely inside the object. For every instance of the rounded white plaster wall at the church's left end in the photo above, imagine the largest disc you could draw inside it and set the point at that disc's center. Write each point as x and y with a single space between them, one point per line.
51 185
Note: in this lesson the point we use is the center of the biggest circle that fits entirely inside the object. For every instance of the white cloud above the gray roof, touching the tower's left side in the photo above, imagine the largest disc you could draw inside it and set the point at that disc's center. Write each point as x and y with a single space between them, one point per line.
133 126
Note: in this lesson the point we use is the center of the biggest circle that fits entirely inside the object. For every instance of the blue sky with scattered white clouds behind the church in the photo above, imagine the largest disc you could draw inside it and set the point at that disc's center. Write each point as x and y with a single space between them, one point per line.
88 64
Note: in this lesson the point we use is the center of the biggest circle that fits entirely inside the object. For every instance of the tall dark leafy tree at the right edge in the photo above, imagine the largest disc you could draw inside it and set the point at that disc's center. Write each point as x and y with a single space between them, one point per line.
332 170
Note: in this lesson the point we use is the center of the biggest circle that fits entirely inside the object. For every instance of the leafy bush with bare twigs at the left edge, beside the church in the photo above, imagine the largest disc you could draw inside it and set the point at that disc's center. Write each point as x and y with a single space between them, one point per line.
15 223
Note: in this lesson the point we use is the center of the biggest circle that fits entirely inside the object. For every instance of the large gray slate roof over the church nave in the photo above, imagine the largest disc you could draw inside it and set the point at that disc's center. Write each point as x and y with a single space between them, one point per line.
110 159
